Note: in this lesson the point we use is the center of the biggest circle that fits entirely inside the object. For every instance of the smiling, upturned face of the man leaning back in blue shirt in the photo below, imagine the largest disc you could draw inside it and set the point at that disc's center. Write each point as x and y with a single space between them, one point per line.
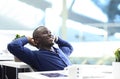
45 37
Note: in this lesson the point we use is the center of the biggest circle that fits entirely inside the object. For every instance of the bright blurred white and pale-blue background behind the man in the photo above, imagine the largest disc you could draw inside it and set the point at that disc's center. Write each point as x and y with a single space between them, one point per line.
91 26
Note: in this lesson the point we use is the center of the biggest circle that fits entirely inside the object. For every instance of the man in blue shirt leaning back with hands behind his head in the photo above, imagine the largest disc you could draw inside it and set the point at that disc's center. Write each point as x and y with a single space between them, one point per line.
47 57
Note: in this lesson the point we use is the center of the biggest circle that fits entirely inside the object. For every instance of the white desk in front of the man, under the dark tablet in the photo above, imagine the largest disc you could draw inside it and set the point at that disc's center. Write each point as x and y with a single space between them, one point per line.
39 75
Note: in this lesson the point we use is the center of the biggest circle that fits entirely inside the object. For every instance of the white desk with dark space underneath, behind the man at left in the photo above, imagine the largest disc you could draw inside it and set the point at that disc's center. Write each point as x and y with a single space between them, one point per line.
13 64
